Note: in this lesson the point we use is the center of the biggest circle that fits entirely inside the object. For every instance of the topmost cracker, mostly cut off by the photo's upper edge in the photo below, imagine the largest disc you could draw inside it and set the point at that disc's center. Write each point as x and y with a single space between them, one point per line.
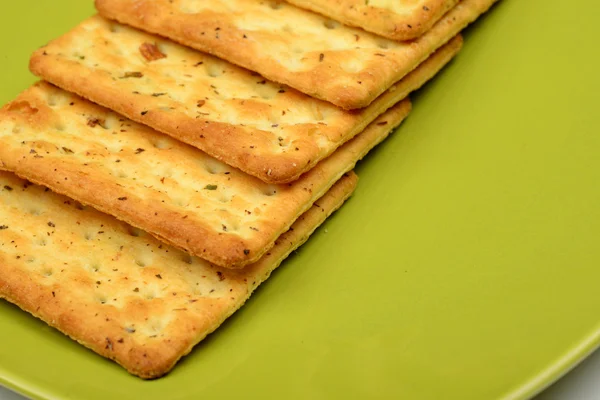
397 20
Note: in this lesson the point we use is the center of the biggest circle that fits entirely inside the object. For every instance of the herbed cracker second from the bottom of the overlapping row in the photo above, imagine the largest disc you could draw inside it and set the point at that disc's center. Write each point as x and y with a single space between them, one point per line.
158 184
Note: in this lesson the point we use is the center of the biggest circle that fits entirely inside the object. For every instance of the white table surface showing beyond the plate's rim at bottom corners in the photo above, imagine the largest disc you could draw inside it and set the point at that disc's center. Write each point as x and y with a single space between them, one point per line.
583 383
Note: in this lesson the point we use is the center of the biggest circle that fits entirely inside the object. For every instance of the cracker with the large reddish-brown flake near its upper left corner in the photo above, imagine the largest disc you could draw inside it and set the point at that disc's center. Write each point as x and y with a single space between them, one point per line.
262 128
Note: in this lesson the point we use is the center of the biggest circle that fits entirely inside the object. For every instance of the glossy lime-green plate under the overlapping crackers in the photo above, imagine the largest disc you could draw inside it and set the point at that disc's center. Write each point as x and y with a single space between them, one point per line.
465 267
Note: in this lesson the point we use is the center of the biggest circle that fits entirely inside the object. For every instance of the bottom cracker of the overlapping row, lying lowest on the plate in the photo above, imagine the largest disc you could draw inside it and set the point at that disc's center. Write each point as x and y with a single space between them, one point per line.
128 298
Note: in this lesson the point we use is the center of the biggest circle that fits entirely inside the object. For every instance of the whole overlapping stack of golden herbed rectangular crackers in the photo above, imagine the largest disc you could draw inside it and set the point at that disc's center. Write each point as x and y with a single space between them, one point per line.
184 148
